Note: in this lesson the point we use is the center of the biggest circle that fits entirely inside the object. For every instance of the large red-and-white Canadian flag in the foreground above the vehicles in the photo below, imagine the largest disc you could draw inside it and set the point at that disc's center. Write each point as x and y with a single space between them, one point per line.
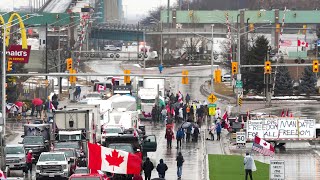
112 160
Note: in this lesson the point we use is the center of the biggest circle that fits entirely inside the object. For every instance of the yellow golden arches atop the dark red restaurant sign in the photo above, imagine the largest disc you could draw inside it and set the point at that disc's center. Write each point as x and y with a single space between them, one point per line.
8 29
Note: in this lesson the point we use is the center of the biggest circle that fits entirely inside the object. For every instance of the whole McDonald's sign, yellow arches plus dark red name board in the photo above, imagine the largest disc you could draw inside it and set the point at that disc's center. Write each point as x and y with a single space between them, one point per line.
16 53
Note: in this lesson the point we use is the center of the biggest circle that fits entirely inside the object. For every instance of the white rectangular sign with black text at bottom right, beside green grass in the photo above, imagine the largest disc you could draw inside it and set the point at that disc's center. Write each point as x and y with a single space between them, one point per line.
277 170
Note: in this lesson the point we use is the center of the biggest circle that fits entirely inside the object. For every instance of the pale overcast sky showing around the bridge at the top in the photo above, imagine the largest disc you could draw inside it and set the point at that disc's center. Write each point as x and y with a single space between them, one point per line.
134 9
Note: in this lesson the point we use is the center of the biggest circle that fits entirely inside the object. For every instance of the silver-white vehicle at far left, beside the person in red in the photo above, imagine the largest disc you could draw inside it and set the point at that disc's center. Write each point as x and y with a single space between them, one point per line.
15 156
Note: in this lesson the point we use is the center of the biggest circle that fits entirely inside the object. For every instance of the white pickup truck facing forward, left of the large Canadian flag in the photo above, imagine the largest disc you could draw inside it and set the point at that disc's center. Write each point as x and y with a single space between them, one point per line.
52 165
